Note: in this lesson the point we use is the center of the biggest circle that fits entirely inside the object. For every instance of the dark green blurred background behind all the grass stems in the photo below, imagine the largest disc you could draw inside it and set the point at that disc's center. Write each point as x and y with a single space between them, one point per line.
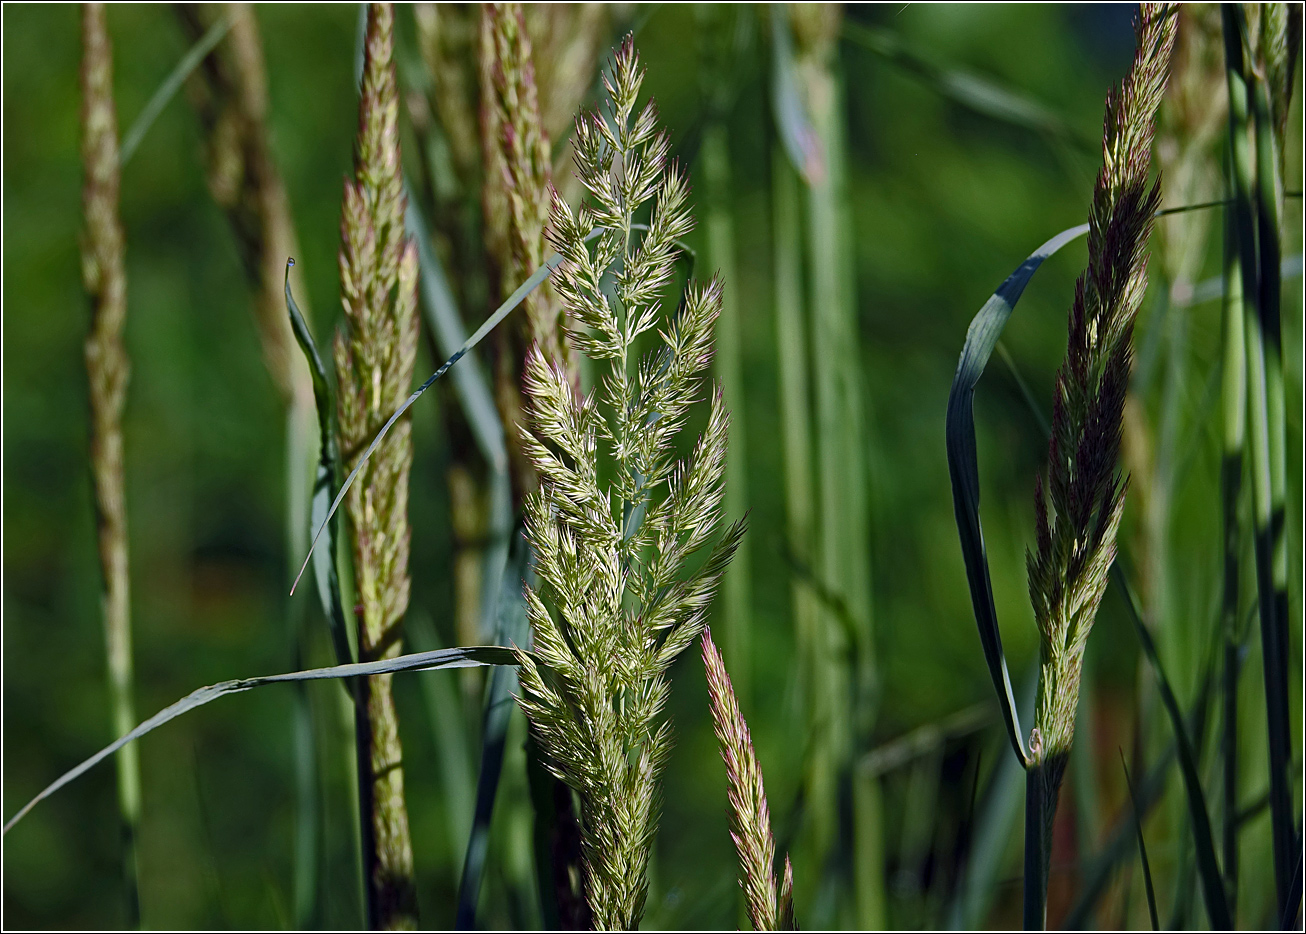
945 203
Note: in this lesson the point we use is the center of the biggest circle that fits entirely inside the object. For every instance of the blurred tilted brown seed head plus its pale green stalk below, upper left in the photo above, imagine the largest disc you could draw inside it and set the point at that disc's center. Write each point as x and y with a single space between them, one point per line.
231 95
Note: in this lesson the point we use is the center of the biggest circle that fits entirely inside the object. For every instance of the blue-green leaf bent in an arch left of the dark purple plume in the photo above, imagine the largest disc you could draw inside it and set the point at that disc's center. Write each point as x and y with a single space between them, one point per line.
964 468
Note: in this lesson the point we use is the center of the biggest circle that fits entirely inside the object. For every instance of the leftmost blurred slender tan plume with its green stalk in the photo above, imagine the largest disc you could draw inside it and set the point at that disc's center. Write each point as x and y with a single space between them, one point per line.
108 372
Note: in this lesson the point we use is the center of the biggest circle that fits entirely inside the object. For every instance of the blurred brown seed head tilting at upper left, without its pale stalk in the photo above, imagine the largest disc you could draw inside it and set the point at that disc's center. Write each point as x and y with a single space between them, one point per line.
231 96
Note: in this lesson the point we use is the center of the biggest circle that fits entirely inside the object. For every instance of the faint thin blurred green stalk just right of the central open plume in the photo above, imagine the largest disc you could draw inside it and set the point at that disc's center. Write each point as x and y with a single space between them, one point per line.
719 229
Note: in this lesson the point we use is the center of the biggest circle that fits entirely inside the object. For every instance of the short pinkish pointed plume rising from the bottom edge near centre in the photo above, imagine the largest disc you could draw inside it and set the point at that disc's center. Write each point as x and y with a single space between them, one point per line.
750 817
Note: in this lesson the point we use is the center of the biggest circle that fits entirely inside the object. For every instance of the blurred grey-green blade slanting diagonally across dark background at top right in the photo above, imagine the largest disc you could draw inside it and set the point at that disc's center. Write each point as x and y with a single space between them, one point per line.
974 92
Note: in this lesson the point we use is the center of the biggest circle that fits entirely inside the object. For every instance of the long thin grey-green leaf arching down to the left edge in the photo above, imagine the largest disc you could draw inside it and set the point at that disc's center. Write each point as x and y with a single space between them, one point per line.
420 662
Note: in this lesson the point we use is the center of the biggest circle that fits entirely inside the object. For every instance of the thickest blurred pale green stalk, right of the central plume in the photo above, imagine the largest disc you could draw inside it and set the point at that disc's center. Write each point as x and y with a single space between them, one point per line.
844 555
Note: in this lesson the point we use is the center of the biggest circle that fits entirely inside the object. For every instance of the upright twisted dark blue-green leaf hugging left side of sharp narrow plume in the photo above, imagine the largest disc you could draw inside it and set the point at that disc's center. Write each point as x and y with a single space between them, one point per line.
325 484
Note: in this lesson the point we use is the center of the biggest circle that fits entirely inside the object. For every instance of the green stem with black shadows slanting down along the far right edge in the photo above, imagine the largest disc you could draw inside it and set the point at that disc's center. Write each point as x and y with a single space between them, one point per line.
1257 215
